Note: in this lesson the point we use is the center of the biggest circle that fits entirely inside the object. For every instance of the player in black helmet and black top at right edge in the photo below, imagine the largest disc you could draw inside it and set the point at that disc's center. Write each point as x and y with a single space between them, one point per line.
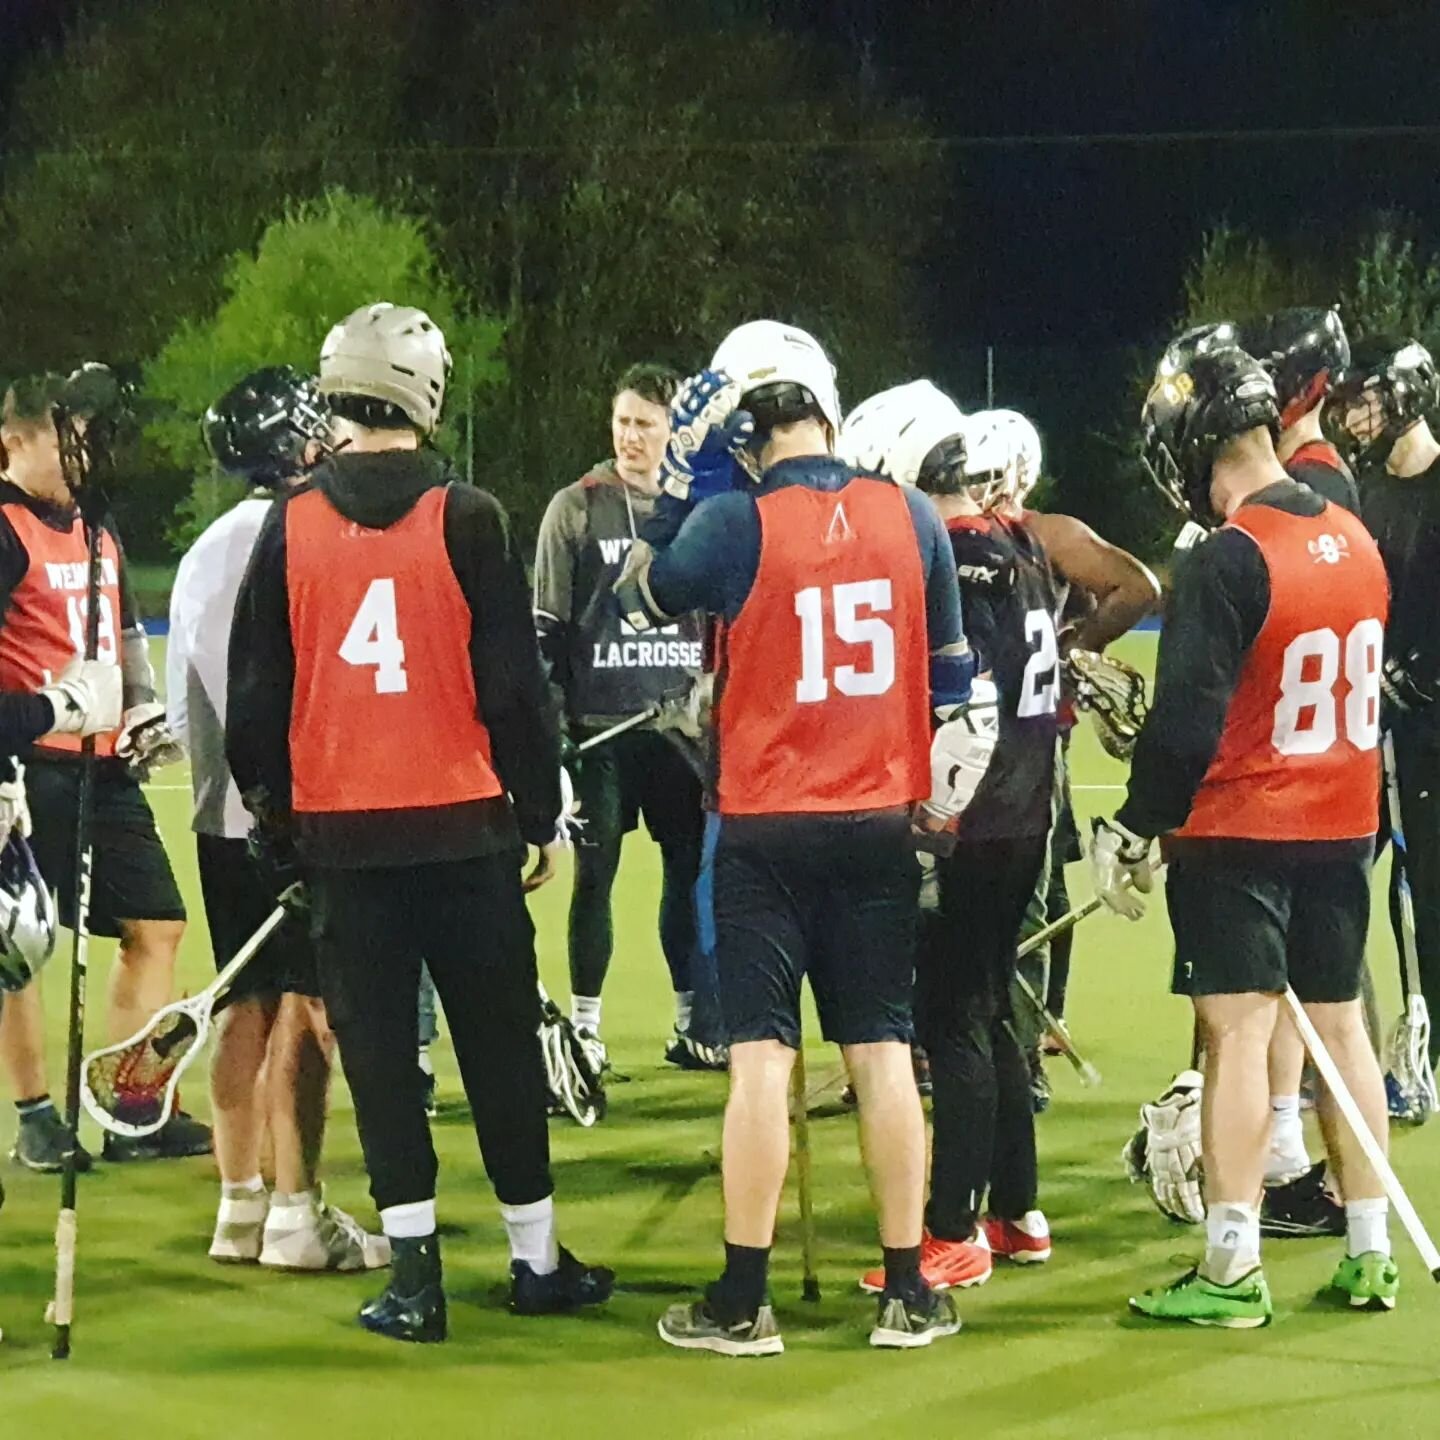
1377 414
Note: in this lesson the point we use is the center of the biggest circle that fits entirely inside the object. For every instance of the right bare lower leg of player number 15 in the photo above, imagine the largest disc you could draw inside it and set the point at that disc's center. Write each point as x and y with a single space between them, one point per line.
892 1138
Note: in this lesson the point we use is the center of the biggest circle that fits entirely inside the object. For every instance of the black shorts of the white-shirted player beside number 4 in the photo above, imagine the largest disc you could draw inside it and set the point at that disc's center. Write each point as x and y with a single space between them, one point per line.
237 905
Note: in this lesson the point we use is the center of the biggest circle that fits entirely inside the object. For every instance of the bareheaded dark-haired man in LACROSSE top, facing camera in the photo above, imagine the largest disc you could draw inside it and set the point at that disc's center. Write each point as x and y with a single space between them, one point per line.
607 673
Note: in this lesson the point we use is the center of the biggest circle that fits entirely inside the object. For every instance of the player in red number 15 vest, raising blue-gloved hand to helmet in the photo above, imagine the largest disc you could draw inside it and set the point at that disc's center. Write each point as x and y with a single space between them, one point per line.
840 617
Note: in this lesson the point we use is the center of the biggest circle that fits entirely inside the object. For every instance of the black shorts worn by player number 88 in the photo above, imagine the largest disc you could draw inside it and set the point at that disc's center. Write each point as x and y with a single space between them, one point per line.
1256 925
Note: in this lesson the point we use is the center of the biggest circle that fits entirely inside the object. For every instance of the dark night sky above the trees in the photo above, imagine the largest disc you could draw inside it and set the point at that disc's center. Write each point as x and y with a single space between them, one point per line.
1063 243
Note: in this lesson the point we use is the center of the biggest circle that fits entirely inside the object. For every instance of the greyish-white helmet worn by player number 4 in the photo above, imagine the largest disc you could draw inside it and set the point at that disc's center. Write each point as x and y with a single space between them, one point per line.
392 354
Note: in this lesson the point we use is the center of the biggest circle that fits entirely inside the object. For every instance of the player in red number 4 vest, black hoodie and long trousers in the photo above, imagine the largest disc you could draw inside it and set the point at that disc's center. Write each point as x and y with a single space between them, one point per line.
390 718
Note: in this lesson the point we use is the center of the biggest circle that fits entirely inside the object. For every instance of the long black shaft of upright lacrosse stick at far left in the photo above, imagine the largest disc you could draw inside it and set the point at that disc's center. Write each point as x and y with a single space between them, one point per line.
66 1229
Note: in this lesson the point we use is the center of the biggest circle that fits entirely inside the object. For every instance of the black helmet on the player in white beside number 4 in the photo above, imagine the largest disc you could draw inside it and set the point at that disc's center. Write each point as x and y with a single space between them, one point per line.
260 428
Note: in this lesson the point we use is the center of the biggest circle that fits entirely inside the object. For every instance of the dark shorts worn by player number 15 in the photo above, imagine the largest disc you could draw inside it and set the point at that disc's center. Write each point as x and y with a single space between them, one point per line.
827 896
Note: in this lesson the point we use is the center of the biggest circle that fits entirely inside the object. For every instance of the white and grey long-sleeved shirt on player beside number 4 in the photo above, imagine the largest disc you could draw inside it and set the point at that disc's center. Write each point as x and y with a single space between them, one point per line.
202 608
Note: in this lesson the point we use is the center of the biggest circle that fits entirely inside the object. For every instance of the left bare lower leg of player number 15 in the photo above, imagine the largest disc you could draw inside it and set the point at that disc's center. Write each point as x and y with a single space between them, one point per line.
757 1147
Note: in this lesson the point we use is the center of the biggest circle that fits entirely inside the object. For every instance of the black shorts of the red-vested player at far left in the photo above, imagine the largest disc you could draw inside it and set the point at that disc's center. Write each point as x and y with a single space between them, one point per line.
132 878
